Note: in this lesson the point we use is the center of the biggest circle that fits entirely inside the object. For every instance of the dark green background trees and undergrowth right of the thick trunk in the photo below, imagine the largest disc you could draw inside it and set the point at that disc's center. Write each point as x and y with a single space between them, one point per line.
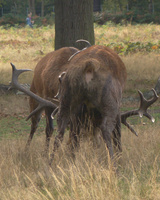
129 11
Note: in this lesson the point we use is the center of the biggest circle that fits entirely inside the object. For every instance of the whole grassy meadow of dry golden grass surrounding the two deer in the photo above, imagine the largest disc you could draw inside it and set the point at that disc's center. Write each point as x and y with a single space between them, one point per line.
90 175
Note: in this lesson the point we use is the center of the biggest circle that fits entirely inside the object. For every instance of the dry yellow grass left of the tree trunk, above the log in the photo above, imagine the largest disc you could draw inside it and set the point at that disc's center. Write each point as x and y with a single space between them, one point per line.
23 47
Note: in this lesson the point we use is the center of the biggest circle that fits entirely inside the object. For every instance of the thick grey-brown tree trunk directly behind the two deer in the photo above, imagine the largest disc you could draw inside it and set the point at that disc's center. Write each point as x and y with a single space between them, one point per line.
73 21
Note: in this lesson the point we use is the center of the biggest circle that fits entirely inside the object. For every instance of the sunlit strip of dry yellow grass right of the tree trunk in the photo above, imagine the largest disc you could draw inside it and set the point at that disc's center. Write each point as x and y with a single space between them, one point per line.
132 33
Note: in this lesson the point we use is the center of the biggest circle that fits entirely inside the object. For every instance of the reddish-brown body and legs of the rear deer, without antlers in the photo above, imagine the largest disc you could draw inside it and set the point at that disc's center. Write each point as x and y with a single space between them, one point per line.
45 84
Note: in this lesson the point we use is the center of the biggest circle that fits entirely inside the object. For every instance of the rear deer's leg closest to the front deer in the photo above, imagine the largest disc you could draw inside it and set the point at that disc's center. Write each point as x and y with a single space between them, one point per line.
49 127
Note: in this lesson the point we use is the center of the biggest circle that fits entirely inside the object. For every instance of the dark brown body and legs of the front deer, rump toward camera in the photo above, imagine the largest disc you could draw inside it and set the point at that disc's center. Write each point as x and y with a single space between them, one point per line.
91 90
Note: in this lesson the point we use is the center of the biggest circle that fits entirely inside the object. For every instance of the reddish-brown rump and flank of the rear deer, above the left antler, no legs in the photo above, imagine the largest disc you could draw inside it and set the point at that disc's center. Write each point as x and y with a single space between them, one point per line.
45 80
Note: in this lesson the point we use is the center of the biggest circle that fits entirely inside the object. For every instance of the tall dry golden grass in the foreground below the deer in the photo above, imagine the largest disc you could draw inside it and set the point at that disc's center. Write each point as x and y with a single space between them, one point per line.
88 176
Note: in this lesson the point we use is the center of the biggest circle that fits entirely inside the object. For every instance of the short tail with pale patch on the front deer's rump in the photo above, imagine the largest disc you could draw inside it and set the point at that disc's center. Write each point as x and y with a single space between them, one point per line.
90 68
